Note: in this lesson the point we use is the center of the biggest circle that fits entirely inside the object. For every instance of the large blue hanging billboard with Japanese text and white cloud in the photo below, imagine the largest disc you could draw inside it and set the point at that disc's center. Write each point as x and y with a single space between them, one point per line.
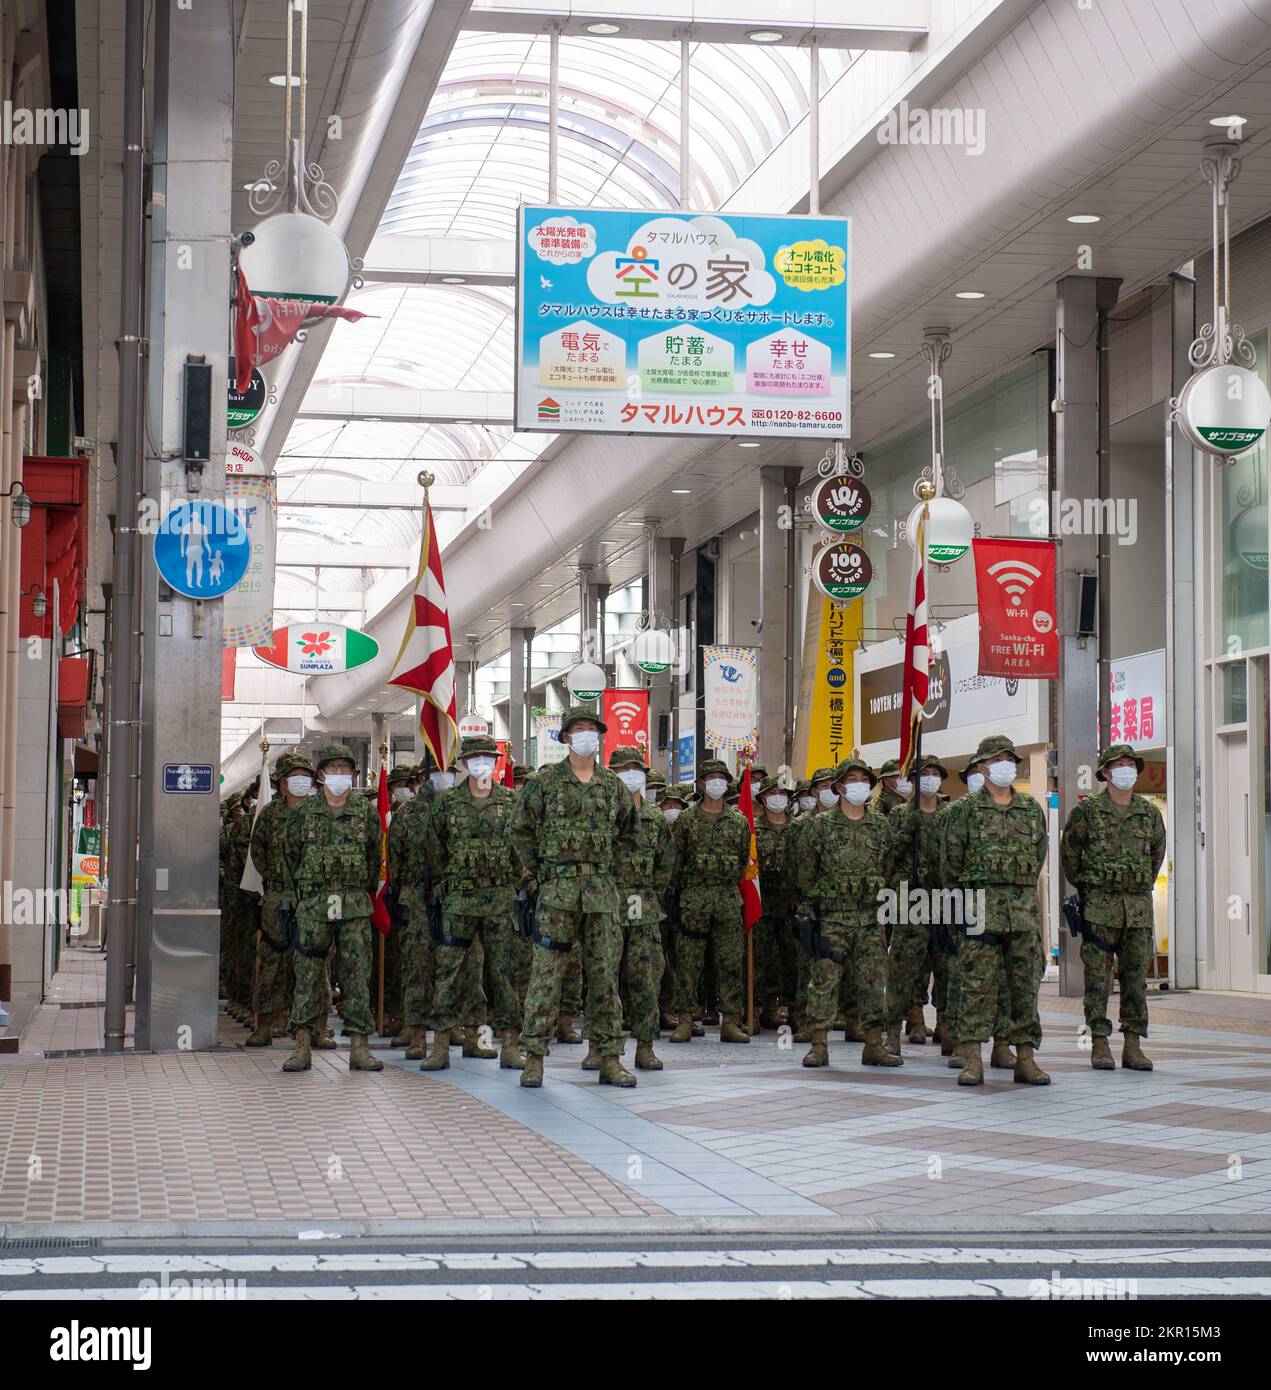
727 325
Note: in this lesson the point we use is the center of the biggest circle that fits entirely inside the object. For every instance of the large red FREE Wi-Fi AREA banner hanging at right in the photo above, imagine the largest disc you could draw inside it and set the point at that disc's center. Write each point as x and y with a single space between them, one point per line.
1016 589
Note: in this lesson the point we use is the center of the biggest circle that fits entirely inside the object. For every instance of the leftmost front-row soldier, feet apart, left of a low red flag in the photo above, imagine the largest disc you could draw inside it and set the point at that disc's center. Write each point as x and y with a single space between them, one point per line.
332 861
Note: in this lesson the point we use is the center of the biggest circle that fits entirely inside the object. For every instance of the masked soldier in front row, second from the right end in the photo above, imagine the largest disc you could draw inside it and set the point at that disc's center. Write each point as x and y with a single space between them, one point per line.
998 844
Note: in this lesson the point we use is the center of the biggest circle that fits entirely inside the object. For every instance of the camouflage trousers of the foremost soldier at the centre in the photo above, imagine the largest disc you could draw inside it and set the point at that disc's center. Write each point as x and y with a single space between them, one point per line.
599 940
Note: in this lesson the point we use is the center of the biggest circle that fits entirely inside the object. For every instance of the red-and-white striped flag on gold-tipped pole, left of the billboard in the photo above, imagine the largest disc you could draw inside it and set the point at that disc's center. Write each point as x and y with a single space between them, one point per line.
426 662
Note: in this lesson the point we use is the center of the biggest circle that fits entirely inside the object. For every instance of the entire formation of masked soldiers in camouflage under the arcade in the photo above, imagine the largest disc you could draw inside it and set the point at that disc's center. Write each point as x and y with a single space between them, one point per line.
601 890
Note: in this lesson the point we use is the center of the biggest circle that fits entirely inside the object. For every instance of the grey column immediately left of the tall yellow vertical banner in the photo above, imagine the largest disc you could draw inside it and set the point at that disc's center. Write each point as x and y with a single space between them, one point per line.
777 653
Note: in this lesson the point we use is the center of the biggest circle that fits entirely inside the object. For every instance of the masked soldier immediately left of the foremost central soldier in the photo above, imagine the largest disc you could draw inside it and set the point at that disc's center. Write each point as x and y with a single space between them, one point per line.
467 839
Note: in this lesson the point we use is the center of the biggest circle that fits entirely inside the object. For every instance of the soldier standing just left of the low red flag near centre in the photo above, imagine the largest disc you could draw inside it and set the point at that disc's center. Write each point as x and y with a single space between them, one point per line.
713 851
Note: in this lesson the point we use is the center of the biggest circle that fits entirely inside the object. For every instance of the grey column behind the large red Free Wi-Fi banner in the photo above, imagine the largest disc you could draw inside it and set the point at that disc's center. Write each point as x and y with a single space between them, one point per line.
1081 298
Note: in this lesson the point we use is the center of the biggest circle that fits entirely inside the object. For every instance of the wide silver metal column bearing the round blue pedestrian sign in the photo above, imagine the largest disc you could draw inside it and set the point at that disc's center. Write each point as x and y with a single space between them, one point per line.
179 924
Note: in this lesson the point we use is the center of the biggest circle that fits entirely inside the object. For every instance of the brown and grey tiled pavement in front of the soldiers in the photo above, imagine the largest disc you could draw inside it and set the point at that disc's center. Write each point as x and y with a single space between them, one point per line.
740 1134
